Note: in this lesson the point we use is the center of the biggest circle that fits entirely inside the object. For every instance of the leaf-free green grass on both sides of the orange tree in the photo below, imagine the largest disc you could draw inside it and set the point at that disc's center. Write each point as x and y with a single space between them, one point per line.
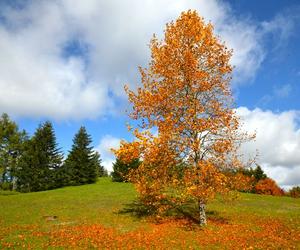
102 202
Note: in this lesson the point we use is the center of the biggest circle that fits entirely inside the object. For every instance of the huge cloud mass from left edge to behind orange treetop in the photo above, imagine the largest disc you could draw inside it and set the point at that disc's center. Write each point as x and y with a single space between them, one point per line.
40 76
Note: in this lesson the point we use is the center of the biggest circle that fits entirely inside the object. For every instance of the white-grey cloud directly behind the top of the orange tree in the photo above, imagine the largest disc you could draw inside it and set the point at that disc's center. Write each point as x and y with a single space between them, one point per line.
129 25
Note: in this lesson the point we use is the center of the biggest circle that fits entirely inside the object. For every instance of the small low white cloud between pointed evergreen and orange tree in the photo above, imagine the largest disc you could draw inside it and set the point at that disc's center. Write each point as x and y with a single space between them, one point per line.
104 148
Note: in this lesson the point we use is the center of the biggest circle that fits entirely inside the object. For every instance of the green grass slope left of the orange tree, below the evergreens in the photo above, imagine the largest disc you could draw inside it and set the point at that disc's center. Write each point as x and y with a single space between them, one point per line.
94 203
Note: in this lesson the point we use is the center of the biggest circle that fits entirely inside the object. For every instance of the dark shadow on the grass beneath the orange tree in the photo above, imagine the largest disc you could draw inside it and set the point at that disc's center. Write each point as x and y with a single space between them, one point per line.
187 211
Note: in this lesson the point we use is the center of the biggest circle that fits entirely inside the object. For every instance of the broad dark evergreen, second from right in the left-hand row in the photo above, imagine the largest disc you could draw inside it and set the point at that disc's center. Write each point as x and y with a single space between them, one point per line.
40 161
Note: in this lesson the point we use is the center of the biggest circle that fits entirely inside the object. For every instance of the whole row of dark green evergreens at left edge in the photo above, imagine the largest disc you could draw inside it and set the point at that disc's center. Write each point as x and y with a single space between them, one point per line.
29 164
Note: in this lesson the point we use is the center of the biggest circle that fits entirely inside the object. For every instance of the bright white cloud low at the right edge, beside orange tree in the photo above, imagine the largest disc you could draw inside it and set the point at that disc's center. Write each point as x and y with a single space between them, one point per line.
277 142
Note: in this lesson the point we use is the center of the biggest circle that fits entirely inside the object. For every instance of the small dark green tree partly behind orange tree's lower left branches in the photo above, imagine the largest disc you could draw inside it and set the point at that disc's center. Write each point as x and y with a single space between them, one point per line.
121 169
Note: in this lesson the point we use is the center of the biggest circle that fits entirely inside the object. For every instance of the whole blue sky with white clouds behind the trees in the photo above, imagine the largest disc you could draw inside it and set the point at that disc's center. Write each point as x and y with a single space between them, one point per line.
67 61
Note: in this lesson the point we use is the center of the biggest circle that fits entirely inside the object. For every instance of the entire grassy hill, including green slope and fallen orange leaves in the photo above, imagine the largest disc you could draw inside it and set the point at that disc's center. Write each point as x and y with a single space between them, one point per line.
92 216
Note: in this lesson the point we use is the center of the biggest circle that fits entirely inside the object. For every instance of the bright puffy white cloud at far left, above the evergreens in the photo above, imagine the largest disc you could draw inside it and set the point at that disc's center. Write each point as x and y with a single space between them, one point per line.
34 79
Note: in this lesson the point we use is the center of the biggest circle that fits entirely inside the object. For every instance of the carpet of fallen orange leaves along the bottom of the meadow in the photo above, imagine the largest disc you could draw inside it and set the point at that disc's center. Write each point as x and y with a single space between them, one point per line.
254 233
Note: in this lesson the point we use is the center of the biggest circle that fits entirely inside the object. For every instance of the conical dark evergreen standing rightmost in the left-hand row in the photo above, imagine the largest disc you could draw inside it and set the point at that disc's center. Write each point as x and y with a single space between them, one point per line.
82 163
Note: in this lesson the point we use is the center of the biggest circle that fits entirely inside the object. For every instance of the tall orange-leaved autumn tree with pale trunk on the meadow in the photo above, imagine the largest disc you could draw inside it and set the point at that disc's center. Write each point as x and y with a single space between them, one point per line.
186 97
